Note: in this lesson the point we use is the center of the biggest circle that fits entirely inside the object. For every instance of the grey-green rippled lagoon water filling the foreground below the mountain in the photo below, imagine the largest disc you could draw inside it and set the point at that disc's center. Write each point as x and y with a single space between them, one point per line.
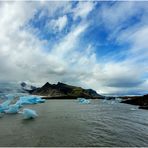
68 123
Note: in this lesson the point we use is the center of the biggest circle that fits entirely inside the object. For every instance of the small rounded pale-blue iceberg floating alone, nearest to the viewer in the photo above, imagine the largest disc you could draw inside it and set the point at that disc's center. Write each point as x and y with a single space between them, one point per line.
29 113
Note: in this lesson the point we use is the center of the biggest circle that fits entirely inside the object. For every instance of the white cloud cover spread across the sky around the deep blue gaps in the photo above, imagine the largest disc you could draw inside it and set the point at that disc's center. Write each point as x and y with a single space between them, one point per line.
22 54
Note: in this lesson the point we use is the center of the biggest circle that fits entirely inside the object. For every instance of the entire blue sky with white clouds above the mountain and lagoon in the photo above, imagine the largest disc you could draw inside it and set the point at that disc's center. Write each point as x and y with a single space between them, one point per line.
92 44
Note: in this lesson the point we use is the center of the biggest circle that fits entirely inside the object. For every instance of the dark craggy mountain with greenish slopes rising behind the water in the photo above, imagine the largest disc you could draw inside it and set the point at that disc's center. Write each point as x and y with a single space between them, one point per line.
61 90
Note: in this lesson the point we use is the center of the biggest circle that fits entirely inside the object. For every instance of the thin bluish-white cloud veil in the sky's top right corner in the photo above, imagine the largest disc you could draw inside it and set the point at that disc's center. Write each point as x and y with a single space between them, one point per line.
114 16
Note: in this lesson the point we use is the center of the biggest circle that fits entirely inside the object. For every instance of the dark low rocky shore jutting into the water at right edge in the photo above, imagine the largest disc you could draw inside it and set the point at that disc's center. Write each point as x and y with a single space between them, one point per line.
142 101
